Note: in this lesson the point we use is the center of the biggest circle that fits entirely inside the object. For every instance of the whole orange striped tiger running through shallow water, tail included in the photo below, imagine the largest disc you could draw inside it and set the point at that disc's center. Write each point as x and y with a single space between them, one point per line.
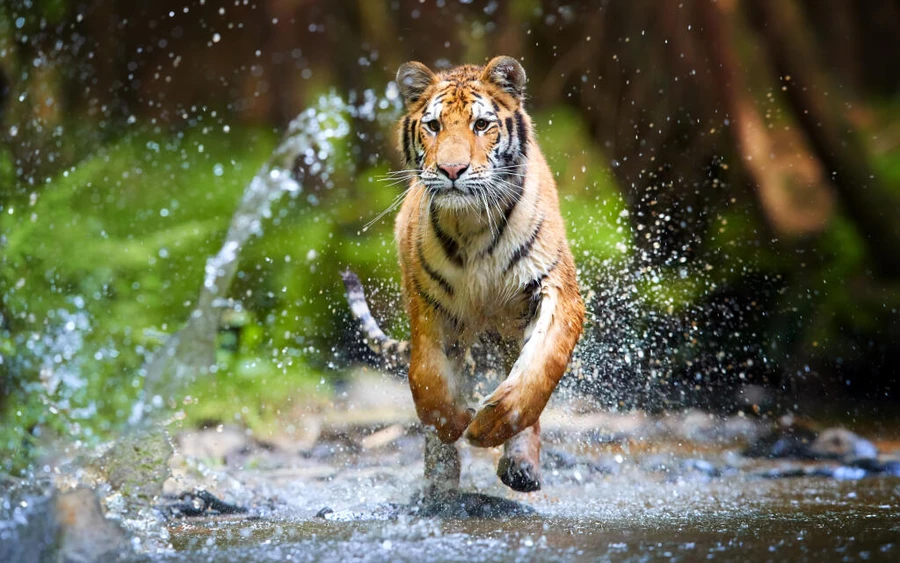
483 254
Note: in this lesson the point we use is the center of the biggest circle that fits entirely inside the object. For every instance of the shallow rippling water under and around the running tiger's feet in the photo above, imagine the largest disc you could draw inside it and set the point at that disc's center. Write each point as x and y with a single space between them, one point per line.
630 500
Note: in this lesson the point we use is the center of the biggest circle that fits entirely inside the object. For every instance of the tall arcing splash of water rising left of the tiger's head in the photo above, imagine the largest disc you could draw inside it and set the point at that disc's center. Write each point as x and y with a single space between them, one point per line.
308 150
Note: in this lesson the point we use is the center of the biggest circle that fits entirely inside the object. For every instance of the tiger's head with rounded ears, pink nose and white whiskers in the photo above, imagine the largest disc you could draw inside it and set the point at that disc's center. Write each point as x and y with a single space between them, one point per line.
465 134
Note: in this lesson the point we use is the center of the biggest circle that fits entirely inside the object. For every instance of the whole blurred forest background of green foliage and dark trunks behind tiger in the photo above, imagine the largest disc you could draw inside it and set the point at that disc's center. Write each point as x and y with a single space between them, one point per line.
729 171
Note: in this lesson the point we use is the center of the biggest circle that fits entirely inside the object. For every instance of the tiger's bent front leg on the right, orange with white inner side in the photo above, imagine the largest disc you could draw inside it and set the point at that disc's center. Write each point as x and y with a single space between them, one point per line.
518 401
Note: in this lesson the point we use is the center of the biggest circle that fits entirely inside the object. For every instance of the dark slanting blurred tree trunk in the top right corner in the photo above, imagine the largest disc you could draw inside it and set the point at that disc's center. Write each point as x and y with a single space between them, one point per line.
820 108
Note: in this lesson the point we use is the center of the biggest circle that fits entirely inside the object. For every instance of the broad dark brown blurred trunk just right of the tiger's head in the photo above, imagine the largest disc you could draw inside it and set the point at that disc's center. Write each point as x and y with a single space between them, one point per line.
645 102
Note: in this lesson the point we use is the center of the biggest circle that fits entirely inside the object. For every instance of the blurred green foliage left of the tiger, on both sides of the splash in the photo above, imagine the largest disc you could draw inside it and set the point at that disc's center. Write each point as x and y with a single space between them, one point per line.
108 259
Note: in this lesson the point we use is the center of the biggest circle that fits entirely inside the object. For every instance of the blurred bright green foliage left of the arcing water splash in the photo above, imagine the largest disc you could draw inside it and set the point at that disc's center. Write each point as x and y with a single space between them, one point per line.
107 257
